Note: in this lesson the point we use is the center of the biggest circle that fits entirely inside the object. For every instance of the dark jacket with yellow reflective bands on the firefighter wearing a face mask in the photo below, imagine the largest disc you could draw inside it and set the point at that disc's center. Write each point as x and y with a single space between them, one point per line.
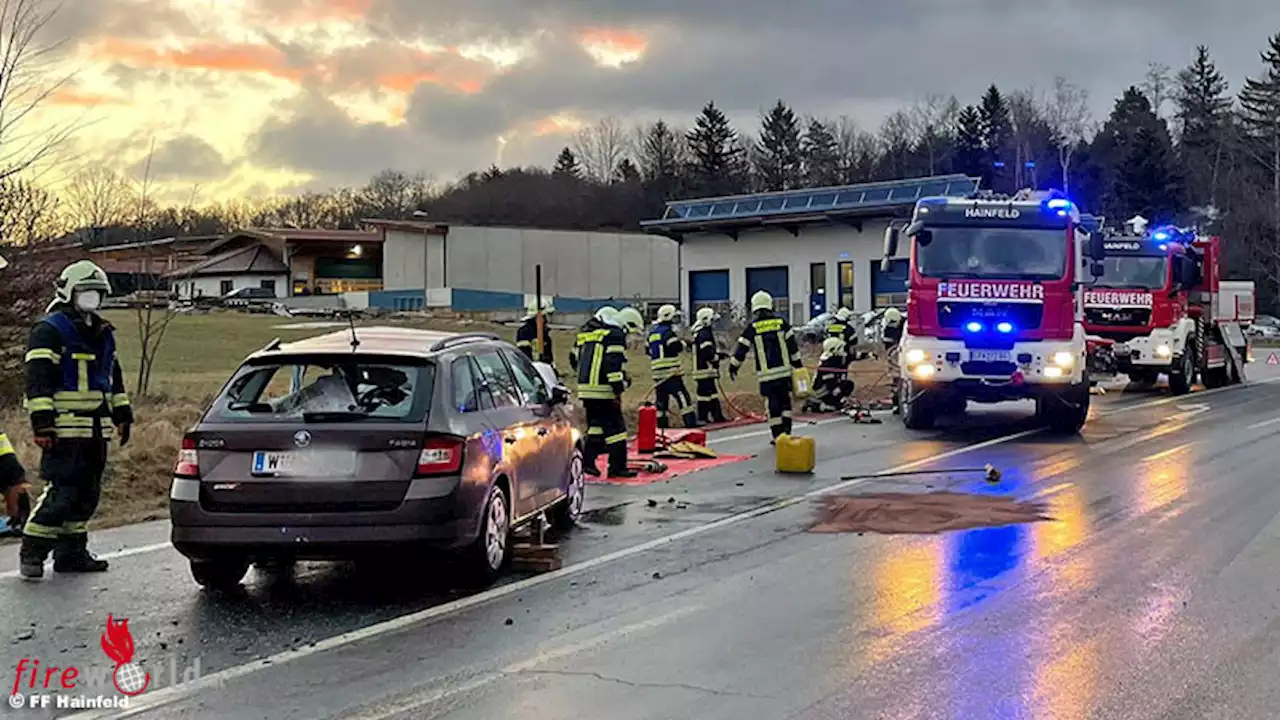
75 386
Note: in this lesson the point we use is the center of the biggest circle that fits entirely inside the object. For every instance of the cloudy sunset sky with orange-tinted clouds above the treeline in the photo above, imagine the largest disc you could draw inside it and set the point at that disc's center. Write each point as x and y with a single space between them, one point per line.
255 97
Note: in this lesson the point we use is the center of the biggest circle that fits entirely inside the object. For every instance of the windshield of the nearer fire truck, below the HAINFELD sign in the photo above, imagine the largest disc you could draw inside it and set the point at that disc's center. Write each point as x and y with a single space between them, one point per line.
993 253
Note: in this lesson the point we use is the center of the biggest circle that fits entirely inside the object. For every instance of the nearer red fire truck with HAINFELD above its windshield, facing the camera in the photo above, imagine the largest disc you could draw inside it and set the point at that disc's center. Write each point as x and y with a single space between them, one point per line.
994 307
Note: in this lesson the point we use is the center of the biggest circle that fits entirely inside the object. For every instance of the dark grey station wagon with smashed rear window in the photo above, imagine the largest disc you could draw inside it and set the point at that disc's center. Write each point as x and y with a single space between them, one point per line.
328 449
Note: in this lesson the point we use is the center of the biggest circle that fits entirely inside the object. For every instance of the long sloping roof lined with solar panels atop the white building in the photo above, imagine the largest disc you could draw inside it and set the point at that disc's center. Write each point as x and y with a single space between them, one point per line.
806 207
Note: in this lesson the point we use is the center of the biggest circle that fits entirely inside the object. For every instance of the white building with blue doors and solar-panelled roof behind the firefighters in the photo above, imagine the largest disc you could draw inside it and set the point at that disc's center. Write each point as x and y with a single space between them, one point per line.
815 250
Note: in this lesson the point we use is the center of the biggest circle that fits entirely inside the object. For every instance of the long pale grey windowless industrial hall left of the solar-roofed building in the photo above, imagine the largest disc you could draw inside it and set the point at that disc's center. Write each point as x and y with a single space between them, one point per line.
470 268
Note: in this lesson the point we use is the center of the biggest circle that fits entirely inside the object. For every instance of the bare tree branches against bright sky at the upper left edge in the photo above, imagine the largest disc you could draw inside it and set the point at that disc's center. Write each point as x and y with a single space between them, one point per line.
26 83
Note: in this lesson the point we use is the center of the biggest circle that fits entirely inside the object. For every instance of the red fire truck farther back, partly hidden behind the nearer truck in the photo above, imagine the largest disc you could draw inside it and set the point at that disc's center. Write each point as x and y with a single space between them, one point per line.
1162 308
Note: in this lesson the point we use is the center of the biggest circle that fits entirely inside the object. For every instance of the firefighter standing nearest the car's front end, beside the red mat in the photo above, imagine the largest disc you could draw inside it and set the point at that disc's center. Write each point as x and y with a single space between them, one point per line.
600 359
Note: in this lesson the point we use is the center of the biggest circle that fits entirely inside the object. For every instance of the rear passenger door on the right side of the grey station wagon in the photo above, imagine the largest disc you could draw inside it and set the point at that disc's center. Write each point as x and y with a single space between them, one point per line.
518 425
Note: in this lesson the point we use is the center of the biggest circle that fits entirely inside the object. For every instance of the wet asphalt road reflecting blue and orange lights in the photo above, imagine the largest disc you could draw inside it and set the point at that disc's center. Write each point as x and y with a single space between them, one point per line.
1153 594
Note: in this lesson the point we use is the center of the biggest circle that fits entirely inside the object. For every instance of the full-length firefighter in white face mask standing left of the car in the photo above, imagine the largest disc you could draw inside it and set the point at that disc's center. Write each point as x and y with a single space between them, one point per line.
75 395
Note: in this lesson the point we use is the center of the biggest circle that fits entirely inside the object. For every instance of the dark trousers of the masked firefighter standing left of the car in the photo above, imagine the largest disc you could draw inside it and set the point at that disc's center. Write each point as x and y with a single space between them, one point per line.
60 520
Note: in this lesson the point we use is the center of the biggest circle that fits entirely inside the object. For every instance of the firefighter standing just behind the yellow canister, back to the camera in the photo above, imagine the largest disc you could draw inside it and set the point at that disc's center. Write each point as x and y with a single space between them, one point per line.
774 343
